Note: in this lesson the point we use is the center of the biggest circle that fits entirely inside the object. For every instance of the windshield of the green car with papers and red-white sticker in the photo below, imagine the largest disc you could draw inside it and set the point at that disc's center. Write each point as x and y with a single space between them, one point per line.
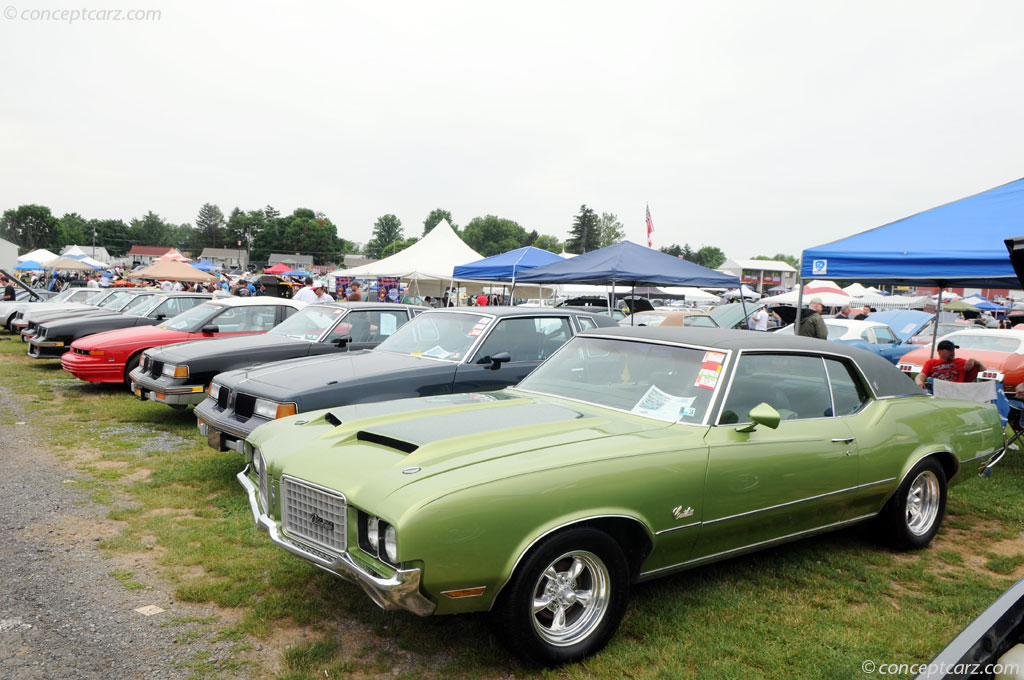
674 385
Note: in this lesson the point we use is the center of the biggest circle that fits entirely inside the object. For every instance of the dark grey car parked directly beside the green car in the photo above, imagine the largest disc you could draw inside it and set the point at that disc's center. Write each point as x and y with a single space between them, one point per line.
460 350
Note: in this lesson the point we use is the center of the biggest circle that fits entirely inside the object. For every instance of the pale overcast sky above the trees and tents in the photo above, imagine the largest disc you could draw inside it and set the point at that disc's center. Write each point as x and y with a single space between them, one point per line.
757 127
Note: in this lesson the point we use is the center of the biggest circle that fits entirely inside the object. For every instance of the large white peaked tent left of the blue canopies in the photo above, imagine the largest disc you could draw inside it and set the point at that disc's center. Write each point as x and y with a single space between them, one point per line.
432 259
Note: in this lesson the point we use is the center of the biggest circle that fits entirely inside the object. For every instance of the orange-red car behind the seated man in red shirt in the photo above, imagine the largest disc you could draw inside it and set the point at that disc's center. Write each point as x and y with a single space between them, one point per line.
1002 353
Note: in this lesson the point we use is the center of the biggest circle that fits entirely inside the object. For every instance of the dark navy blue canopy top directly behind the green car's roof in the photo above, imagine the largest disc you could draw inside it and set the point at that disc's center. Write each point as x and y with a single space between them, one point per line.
629 265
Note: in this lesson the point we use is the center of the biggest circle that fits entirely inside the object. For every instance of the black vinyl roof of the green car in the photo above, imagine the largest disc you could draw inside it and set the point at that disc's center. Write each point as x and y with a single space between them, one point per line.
886 379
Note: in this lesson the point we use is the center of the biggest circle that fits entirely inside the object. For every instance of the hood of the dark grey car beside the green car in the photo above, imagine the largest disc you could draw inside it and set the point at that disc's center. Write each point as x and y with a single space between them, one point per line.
304 374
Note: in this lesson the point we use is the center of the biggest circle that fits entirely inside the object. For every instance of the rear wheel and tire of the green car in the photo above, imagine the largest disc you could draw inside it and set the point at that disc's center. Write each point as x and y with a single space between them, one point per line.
914 516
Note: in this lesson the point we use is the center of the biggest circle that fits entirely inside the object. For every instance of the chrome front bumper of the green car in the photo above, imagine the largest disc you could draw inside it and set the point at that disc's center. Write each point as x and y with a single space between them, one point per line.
400 592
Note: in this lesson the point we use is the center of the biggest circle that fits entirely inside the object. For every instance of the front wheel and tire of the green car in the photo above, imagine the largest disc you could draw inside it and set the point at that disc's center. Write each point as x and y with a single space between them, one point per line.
566 601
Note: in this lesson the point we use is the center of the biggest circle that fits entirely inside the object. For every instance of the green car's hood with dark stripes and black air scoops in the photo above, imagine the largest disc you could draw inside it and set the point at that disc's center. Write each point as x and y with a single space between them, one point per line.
424 447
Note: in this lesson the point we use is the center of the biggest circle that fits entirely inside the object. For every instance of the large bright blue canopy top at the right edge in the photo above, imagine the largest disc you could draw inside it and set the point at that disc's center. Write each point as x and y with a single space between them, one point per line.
961 243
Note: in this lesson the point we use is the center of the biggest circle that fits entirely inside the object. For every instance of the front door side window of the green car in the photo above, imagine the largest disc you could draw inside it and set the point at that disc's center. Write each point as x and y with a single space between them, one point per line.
793 385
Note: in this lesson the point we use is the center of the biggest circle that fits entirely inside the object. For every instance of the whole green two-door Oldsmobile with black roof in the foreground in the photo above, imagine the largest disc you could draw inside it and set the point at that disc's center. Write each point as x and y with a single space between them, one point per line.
630 454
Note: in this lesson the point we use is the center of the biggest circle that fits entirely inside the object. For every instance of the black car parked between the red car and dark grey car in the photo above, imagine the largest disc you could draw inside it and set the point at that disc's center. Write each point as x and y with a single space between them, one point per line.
319 329
